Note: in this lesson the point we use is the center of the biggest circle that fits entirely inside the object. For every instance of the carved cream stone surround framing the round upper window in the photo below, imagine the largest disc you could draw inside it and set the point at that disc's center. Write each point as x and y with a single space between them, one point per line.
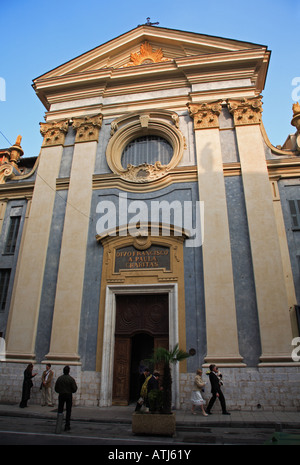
123 130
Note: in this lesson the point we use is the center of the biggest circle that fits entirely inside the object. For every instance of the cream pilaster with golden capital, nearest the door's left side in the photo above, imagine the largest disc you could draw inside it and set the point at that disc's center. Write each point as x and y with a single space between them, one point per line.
70 281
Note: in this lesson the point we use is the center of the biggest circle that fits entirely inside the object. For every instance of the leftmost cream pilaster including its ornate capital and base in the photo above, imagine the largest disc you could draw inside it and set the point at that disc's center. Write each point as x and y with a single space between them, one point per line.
22 325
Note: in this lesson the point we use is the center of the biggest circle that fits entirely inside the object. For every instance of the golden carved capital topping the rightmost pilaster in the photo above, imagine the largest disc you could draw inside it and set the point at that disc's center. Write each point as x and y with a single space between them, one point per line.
246 111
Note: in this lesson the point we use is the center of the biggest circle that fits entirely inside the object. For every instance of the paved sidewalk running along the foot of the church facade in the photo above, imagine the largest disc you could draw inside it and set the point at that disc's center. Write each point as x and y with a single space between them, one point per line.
184 418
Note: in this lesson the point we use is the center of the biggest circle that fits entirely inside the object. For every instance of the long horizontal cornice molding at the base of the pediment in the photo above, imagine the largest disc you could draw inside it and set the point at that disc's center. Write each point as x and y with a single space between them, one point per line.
188 70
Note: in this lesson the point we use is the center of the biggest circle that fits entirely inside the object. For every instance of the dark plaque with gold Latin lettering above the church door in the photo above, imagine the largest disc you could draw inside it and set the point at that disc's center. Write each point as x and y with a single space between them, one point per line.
130 258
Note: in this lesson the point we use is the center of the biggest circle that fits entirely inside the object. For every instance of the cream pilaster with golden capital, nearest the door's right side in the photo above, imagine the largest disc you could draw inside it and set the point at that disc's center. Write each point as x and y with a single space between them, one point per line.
221 325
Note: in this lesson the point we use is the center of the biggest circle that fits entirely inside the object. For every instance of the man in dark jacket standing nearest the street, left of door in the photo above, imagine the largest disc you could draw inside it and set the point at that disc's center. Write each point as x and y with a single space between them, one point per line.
65 386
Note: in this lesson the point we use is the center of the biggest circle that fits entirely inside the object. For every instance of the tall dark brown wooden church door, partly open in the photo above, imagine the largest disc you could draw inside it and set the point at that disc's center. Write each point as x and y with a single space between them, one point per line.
142 324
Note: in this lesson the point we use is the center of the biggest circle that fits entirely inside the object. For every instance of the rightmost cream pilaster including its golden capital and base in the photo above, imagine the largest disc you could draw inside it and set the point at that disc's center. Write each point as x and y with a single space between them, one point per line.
270 283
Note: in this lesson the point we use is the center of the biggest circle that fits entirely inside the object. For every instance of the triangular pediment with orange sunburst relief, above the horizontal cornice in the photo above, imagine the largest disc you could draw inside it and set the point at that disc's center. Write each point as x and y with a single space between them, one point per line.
148 44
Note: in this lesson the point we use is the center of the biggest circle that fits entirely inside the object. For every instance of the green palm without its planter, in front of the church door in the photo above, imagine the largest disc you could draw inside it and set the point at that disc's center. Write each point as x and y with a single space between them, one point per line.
168 357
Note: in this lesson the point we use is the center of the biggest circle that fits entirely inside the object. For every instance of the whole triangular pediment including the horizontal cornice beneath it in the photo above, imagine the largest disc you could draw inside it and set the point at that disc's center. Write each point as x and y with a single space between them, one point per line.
150 54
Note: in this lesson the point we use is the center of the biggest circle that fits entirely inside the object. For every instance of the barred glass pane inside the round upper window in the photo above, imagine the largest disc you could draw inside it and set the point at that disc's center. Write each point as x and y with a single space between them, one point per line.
147 149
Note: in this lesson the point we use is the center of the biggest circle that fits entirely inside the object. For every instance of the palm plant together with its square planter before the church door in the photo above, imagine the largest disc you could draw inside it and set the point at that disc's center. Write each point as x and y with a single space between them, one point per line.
164 421
